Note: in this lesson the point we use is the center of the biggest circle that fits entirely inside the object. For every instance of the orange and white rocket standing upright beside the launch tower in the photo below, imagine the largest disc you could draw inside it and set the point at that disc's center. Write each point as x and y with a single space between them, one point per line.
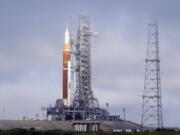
66 69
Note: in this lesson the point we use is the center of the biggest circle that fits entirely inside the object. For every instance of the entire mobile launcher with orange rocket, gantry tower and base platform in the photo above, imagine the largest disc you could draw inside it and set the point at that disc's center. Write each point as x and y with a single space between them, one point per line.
78 101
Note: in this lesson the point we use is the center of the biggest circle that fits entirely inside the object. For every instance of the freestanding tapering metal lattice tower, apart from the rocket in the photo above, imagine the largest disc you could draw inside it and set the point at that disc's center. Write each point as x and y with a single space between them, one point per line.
152 104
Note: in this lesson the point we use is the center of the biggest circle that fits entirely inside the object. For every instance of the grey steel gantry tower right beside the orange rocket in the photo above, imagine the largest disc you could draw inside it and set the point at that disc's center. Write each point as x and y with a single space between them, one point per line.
84 97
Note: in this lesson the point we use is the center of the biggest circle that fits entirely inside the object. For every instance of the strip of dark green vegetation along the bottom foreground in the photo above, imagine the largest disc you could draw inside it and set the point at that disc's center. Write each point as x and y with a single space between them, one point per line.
60 132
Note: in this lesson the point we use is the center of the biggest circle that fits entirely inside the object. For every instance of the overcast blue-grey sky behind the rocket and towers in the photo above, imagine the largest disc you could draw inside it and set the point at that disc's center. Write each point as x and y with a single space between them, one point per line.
31 44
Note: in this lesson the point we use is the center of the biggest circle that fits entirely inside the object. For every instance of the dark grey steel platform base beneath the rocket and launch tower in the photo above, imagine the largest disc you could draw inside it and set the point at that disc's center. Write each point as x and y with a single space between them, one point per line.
61 112
